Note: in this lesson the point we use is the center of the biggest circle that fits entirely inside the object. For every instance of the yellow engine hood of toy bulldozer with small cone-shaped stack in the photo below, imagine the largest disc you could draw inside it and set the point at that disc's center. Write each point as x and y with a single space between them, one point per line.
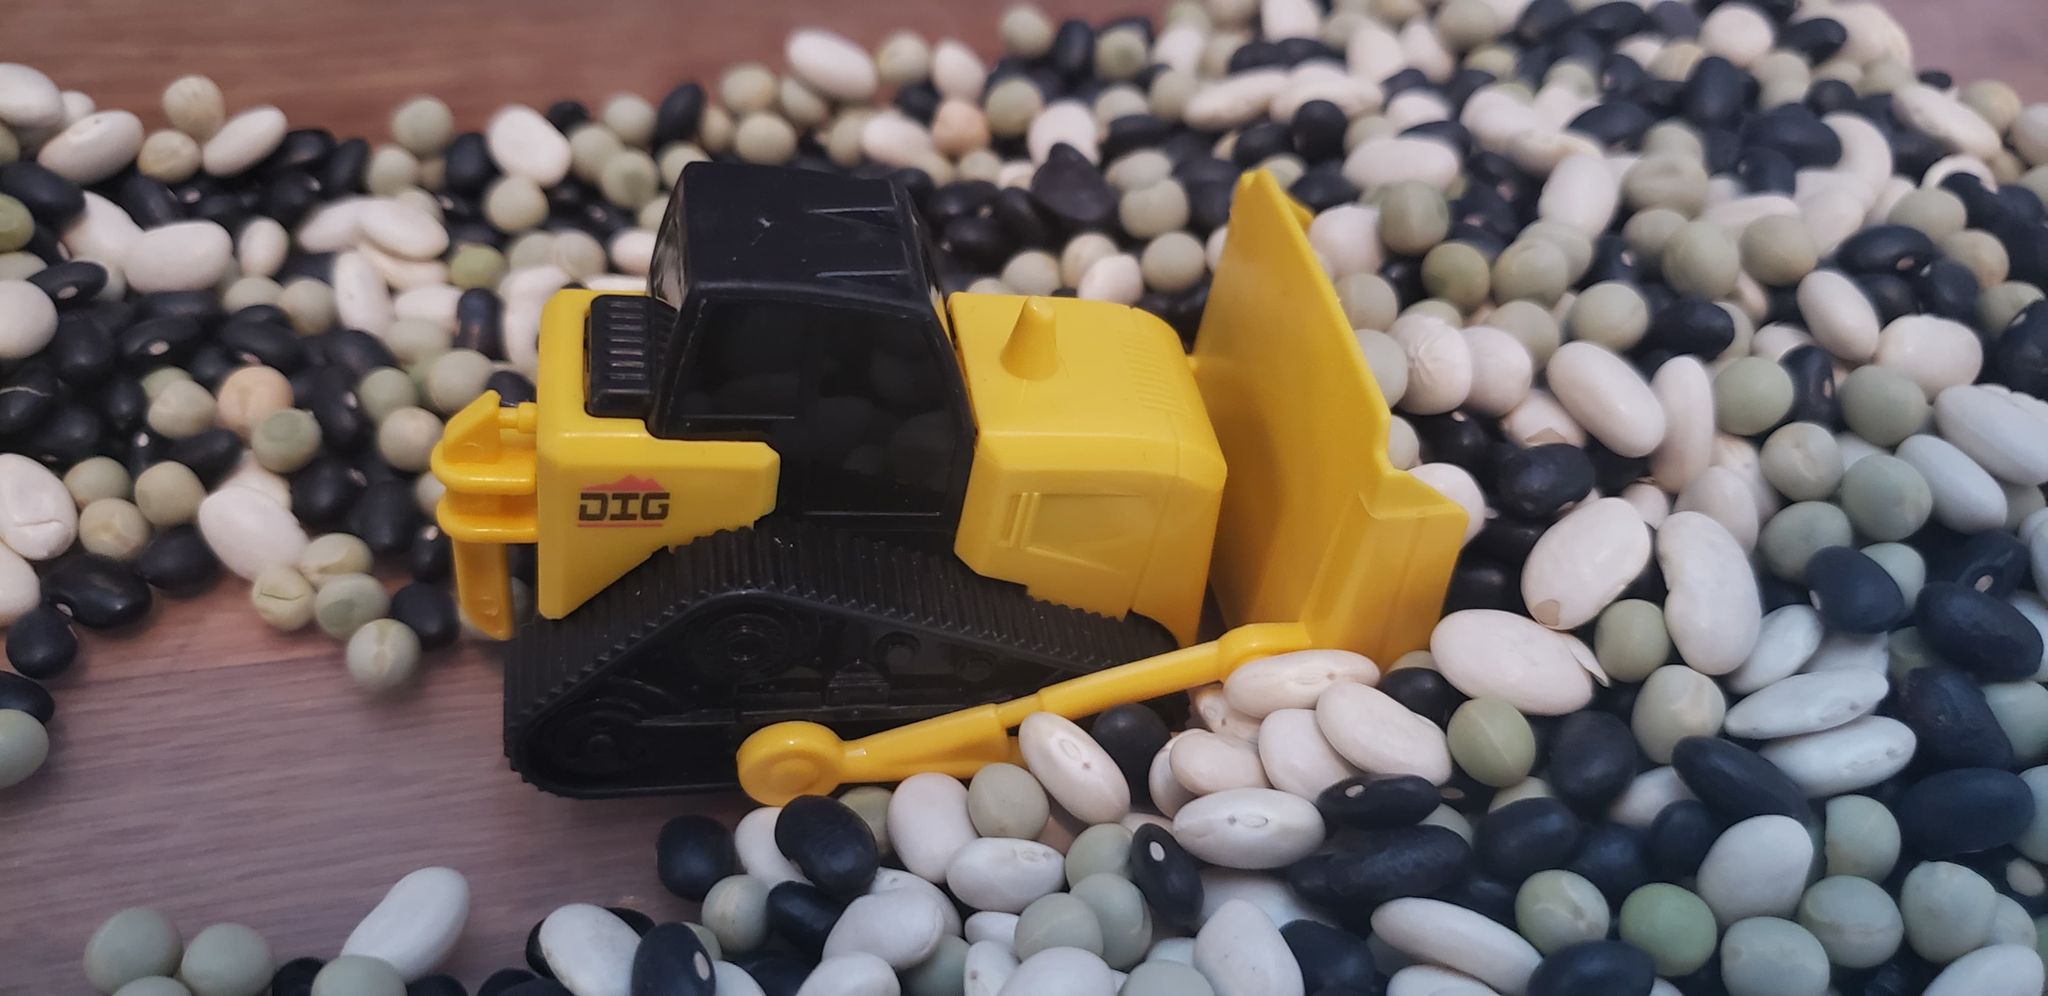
1097 476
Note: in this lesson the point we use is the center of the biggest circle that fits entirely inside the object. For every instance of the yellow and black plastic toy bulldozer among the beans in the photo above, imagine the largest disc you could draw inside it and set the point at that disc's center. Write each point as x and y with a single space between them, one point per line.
806 522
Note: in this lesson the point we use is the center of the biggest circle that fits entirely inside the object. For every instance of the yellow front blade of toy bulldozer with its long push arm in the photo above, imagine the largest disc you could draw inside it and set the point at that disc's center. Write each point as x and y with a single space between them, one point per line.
1320 542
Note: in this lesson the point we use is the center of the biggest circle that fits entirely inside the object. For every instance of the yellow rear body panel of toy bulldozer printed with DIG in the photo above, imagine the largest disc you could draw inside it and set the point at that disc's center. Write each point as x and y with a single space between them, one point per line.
599 495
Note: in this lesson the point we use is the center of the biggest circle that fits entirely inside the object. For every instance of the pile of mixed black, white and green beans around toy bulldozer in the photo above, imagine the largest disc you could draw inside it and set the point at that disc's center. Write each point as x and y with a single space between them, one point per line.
1721 321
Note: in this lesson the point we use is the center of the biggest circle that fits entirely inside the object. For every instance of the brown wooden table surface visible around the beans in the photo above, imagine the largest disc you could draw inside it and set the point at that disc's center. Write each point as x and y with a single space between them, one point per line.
220 772
